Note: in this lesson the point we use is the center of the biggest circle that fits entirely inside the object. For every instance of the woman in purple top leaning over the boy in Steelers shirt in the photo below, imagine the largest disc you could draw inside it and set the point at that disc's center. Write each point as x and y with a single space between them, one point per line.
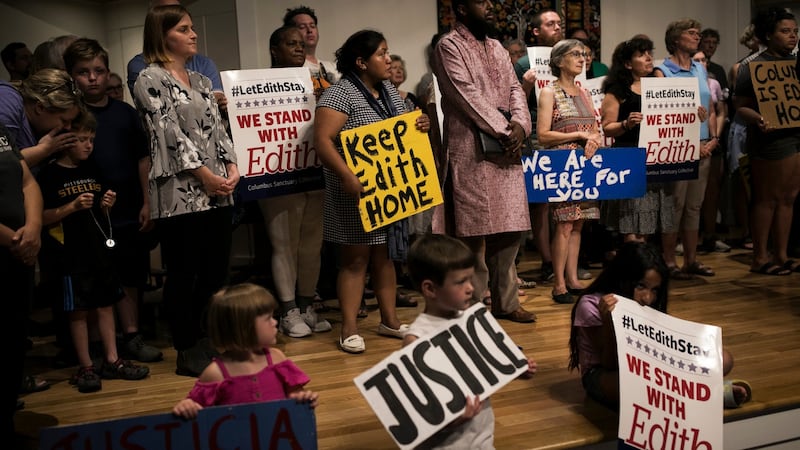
38 113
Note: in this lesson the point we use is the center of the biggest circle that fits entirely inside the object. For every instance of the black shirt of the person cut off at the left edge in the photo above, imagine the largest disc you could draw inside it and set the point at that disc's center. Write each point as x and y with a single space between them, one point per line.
12 201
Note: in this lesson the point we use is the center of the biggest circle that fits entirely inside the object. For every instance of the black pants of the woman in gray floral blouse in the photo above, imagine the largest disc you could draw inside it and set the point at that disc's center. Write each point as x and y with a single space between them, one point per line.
196 250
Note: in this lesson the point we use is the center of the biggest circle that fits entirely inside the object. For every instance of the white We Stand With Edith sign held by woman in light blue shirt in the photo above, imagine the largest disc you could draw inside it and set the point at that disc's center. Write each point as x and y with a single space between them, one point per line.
670 130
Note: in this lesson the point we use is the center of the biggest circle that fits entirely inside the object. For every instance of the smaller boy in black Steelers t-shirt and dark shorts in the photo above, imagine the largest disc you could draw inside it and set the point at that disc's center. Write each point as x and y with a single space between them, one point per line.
77 238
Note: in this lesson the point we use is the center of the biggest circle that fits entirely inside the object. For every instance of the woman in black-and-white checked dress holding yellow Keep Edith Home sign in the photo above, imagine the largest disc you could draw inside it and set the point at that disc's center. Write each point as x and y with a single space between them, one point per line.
363 96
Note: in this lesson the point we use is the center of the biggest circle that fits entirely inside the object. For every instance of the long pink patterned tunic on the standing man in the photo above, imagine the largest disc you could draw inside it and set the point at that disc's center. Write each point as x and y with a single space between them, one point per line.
476 79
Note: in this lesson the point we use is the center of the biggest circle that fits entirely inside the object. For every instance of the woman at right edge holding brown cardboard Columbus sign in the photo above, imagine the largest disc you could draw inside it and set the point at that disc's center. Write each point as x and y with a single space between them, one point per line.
774 153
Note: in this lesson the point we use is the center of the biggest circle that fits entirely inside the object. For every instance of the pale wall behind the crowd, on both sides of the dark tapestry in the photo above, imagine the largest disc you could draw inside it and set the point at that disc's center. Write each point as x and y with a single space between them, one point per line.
408 25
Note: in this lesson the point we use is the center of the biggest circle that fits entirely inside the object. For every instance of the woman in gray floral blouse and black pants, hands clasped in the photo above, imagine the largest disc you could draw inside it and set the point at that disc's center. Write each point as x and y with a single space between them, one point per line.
192 178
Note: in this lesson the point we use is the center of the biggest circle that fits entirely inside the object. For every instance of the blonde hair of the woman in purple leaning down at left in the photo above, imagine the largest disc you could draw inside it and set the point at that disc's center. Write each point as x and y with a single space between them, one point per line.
53 88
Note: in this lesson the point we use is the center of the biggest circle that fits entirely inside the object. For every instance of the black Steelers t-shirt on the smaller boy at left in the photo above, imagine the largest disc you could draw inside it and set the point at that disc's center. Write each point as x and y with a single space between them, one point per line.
76 244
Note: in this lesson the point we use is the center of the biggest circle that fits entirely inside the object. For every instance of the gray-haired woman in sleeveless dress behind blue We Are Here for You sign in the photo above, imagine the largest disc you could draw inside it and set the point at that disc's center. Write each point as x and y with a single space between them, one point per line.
566 120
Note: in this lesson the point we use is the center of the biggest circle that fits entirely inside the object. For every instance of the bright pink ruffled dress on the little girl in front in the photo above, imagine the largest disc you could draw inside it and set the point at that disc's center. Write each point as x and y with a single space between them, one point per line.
272 383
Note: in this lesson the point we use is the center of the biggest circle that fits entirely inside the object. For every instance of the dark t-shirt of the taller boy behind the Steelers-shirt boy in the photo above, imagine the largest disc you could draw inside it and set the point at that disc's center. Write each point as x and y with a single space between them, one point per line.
119 144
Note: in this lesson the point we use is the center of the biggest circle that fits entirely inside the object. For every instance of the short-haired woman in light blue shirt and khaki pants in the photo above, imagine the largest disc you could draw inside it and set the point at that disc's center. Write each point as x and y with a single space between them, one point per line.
682 39
